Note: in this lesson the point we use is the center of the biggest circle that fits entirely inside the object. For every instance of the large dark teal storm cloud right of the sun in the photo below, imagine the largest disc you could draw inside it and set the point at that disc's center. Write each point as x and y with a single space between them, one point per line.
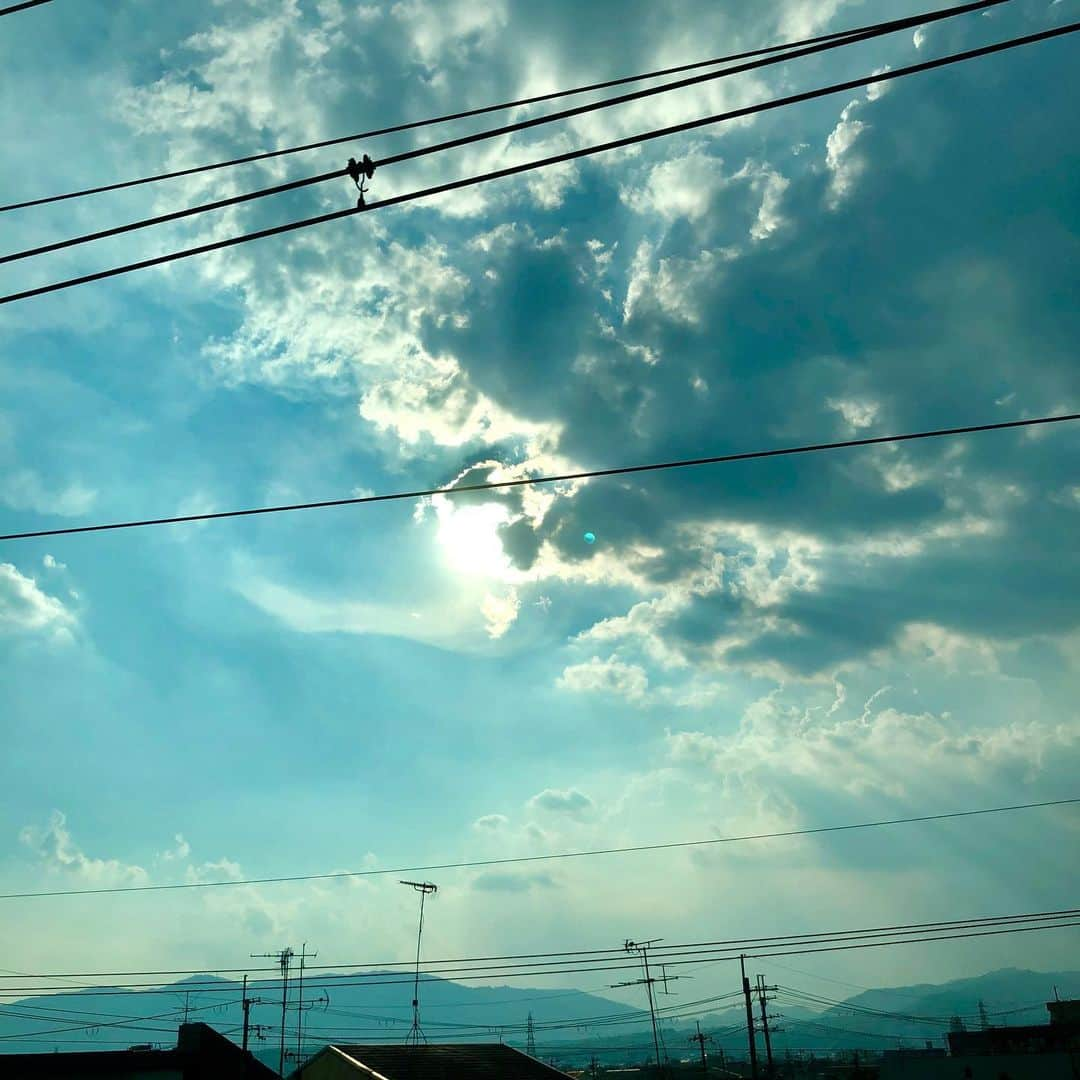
940 289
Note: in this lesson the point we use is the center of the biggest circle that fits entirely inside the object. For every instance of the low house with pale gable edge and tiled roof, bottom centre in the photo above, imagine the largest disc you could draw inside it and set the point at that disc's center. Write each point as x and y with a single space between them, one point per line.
430 1062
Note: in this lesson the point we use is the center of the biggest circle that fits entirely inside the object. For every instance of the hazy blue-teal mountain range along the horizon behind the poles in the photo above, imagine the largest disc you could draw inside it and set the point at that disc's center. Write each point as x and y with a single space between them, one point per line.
813 1015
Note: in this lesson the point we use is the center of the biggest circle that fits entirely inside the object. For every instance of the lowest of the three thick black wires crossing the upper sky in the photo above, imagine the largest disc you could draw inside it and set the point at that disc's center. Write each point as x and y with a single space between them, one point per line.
545 163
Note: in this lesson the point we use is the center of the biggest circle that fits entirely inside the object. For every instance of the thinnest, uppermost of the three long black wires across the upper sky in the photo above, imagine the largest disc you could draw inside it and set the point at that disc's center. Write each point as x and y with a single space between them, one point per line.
447 118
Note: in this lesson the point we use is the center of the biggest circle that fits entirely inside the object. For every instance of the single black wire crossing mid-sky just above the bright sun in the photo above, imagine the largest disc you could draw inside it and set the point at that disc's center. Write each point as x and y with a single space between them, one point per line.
552 479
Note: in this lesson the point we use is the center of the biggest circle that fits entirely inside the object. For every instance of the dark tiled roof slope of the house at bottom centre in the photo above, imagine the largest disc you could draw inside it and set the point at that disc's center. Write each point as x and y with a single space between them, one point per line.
450 1062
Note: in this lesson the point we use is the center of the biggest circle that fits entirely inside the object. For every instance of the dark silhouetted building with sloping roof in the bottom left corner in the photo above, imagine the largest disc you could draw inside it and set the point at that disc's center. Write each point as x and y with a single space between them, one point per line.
200 1055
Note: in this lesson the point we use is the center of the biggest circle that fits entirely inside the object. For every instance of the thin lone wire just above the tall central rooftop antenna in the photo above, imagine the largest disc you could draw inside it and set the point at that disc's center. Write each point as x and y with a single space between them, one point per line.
472 865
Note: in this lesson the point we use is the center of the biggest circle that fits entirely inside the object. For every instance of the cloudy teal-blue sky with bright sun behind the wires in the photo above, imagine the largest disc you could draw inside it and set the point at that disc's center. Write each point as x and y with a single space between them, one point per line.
765 646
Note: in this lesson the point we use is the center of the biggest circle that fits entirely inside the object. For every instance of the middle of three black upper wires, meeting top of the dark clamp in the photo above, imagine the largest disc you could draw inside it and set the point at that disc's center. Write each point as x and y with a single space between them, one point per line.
850 37
